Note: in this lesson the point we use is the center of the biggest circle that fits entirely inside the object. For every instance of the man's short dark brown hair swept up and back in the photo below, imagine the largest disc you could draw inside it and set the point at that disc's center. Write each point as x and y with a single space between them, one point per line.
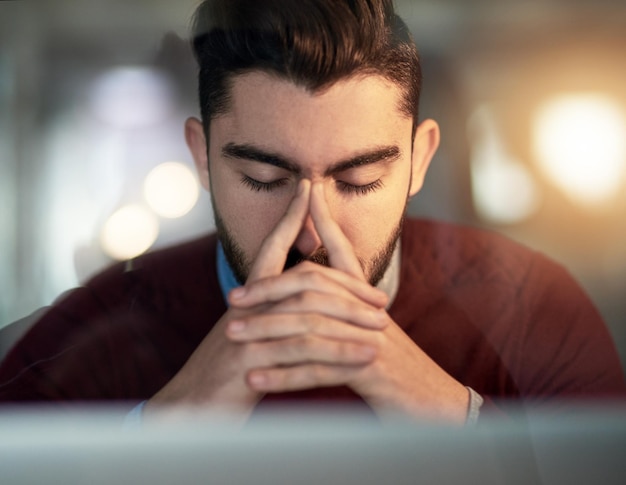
313 43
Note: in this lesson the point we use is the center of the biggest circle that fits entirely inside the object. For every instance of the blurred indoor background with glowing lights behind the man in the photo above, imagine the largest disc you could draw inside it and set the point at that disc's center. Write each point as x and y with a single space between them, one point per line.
530 96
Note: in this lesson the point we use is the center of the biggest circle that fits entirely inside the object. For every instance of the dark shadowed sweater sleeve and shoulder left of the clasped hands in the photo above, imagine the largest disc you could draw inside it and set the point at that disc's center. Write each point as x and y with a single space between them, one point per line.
123 334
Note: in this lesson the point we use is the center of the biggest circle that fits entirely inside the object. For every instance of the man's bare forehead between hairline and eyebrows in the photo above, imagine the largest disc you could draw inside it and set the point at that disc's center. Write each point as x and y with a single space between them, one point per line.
312 127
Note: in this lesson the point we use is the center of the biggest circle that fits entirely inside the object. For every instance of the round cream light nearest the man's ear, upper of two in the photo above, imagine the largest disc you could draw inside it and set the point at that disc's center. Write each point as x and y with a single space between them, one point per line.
171 189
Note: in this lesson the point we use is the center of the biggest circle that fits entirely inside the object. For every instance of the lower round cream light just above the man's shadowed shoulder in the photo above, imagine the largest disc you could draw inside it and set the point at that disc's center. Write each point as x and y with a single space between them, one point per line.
128 232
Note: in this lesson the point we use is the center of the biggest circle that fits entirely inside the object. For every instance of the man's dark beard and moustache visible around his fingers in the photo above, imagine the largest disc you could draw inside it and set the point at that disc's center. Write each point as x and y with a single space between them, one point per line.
240 264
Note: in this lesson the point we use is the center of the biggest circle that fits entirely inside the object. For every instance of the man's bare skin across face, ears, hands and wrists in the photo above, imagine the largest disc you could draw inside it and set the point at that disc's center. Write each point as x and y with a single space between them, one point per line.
312 325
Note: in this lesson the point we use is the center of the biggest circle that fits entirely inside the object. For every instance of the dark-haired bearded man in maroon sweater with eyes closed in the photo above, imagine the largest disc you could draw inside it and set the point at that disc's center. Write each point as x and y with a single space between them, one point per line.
310 146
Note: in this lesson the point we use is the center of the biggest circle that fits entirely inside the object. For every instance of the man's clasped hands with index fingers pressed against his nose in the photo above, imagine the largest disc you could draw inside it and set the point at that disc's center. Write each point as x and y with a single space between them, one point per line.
312 326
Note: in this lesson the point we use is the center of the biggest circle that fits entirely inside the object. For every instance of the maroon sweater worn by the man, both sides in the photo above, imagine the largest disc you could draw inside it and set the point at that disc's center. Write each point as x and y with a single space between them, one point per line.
497 317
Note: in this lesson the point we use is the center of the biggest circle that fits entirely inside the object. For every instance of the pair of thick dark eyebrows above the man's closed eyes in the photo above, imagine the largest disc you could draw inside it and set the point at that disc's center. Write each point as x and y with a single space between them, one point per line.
250 152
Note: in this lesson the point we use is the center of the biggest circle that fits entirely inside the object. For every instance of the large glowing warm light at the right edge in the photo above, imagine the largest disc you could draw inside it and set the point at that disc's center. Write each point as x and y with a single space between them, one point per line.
580 144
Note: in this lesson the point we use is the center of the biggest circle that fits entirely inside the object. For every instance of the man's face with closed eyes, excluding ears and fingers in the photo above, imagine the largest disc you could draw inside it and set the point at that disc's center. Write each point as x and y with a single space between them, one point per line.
352 138
